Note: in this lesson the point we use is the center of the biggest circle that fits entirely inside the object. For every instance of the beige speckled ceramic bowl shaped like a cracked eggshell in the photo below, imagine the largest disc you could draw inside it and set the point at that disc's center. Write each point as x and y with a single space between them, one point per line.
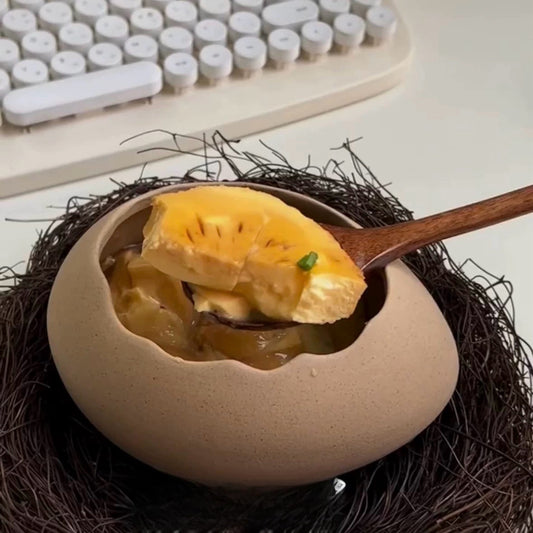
223 423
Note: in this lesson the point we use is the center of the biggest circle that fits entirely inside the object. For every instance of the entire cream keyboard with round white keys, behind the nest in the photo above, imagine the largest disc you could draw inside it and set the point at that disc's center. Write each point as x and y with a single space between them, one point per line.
76 75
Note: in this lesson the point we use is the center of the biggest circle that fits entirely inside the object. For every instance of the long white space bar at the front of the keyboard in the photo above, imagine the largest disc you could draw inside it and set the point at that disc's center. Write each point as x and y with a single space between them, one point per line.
80 94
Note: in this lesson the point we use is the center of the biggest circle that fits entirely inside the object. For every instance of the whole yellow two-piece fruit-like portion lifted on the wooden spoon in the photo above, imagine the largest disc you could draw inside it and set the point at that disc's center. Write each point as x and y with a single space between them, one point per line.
249 242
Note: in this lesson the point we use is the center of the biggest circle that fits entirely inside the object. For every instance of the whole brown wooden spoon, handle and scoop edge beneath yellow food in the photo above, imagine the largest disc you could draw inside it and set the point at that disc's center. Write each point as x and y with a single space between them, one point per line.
375 248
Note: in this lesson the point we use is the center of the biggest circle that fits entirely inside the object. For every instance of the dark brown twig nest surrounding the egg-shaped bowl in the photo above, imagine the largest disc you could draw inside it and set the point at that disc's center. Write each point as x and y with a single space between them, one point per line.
470 471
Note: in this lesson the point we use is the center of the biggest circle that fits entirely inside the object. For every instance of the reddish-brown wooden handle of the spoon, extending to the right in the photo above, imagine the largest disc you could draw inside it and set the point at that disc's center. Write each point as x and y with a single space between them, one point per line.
386 244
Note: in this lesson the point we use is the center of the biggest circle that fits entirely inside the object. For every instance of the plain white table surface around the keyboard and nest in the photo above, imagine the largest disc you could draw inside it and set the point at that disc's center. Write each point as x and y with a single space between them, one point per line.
458 130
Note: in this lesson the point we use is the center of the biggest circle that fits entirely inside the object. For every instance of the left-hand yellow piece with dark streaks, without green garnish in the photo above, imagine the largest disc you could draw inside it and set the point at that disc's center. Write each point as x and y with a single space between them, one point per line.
202 235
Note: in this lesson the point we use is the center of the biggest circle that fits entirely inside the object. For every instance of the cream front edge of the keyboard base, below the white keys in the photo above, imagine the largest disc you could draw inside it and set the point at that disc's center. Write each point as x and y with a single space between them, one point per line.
89 145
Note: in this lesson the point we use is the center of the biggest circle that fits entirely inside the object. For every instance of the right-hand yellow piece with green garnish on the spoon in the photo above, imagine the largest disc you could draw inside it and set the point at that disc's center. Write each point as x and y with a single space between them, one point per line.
279 288
